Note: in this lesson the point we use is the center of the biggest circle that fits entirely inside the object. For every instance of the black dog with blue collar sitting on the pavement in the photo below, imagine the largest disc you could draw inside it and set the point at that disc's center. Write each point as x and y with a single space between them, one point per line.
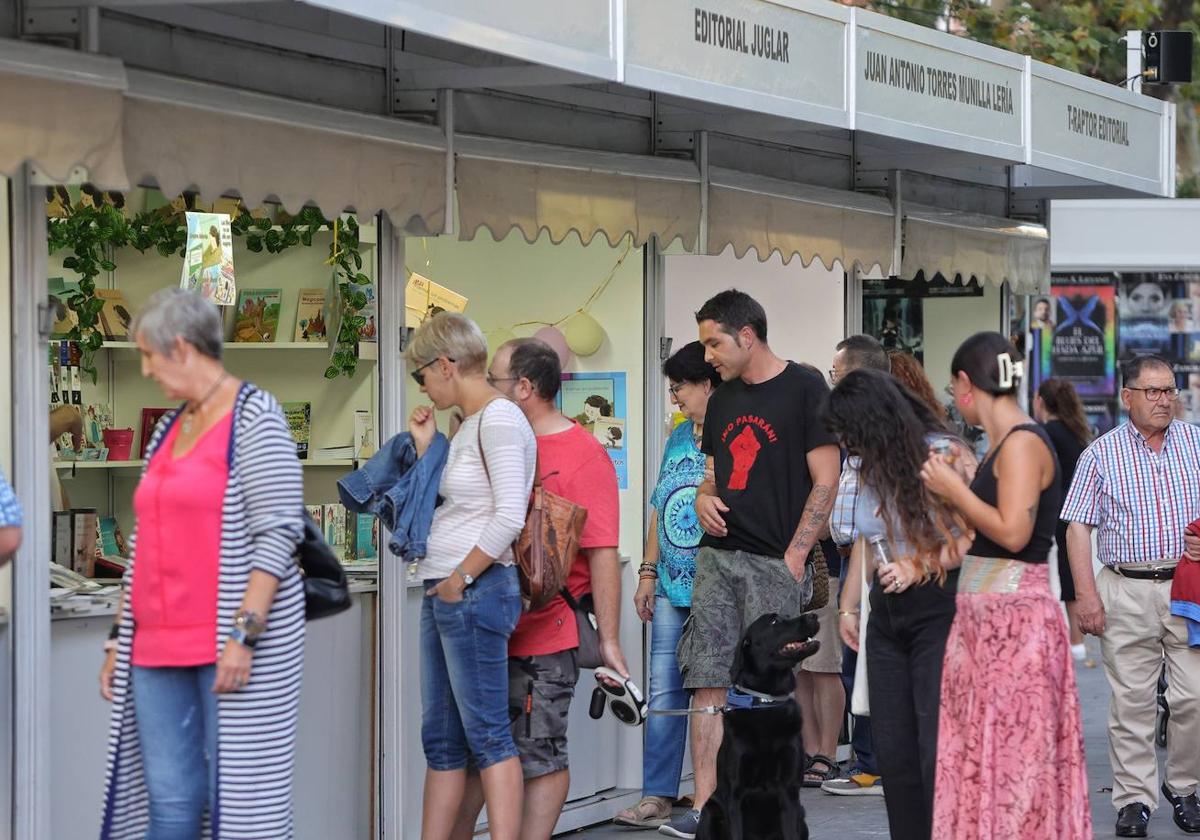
760 767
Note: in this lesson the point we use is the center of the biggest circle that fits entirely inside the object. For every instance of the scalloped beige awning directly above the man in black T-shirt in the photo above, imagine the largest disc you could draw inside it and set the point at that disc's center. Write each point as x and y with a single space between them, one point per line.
770 215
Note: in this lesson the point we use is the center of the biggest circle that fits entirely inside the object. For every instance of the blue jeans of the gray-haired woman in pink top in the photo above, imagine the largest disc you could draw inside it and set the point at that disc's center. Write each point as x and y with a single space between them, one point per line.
177 718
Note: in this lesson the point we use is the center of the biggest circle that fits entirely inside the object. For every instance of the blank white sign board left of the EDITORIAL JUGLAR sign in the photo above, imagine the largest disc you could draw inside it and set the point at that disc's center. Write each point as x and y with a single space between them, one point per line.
577 37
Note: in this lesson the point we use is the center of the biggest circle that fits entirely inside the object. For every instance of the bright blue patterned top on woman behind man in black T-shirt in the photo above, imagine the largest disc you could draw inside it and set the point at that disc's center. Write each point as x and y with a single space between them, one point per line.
675 500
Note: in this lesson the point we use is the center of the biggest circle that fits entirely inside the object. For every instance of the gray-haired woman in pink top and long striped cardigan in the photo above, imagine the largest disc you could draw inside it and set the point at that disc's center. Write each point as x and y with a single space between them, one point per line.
203 664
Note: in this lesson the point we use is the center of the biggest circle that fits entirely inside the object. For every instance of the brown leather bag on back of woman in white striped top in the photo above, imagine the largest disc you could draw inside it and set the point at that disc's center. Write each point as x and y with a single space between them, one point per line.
549 544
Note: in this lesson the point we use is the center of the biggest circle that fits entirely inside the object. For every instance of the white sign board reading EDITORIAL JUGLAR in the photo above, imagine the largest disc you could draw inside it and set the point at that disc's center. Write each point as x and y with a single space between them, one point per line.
787 59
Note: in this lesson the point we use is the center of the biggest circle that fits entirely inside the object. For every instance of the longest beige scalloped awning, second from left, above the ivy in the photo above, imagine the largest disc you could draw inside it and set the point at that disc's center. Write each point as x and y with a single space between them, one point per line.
185 136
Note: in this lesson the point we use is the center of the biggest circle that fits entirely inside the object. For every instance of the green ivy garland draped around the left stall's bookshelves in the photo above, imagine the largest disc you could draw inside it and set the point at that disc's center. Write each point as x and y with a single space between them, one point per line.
94 231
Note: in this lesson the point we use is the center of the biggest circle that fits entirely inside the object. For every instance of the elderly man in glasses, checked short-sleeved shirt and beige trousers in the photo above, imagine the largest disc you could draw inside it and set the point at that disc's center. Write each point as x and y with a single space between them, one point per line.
1139 487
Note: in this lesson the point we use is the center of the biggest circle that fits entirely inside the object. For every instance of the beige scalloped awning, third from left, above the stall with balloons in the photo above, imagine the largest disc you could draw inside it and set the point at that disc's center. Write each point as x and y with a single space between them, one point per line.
572 191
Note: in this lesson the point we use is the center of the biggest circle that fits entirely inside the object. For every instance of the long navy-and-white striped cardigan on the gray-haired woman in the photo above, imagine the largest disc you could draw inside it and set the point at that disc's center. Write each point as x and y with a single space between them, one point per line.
261 526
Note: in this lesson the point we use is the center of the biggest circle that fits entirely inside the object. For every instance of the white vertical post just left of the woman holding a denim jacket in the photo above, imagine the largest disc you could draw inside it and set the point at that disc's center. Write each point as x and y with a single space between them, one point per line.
393 743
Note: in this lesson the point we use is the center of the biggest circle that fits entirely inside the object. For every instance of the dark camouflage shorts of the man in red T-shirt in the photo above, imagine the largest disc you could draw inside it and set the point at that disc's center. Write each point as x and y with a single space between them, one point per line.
541 691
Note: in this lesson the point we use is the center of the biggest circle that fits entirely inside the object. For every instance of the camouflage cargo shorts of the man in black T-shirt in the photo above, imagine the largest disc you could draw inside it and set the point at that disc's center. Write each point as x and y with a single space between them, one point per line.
731 591
